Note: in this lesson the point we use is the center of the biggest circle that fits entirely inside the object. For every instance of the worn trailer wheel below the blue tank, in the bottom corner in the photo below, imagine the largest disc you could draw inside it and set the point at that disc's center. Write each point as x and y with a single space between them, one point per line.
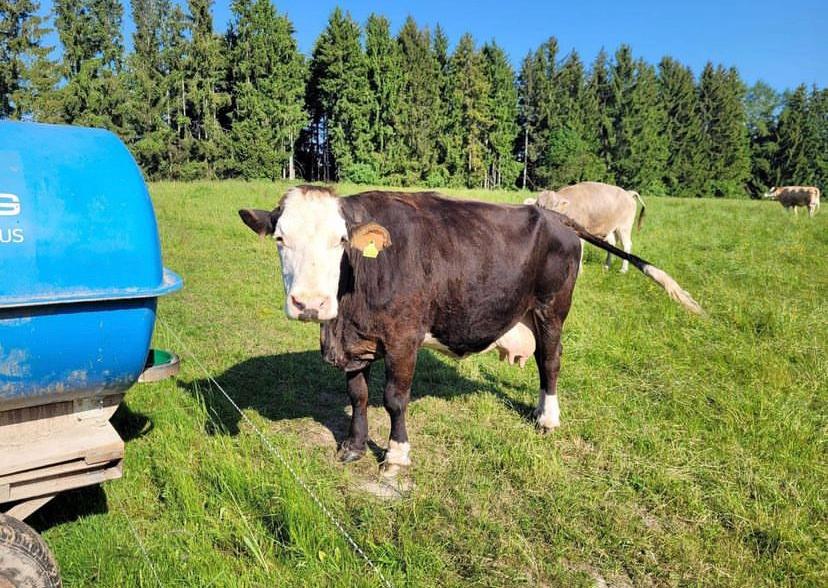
25 560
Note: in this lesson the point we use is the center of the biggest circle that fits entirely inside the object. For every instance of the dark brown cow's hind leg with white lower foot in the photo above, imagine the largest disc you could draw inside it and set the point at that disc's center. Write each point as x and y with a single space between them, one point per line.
548 325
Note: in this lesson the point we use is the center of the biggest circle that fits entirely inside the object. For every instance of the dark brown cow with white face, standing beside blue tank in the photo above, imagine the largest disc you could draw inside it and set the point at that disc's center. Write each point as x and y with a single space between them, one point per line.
386 273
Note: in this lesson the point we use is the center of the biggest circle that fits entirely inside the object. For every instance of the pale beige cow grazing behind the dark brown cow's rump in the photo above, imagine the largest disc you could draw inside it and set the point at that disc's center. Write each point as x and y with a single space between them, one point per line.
603 210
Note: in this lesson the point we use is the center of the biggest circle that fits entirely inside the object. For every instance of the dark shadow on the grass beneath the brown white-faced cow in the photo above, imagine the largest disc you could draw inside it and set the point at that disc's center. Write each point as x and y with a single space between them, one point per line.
300 385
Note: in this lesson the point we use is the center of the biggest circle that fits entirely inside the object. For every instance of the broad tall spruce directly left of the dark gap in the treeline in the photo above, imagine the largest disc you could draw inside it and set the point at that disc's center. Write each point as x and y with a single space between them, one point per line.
267 77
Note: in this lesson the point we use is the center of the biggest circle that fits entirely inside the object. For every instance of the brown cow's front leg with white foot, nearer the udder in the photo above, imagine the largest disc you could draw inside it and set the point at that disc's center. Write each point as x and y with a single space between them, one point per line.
399 373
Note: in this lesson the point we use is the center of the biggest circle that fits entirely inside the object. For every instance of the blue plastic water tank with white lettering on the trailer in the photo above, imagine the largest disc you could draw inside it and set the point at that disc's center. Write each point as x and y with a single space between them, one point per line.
80 265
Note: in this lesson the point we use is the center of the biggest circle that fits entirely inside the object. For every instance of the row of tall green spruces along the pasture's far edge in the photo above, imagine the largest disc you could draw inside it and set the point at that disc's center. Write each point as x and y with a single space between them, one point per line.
369 106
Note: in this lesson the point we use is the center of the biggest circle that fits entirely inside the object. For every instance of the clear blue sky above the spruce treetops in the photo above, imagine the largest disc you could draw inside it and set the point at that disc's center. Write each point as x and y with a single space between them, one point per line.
782 43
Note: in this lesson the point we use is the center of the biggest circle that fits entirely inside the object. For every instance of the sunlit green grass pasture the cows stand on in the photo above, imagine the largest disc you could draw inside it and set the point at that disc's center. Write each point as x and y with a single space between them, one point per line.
691 452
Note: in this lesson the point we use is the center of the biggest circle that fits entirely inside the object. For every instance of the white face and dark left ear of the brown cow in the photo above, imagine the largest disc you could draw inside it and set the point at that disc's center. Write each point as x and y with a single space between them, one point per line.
311 235
